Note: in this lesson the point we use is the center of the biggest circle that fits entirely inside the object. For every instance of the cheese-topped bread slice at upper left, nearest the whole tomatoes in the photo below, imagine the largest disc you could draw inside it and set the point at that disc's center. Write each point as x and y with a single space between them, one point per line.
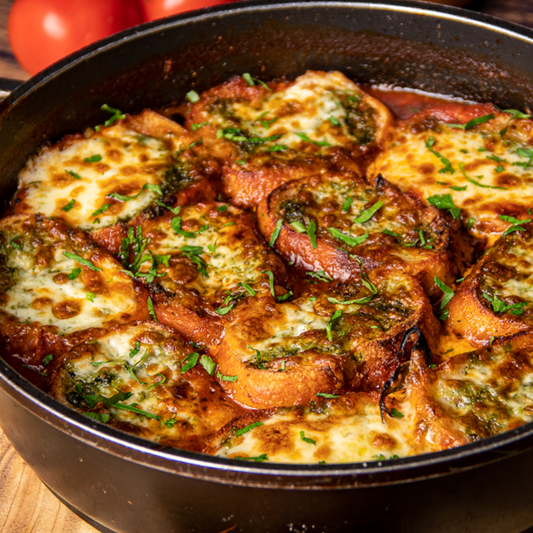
100 180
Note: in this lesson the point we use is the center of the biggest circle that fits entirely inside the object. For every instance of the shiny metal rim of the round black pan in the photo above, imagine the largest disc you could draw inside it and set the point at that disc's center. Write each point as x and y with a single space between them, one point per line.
150 454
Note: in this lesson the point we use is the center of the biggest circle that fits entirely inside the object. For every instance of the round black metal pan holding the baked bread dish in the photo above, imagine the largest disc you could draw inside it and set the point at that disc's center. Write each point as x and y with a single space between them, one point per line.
125 484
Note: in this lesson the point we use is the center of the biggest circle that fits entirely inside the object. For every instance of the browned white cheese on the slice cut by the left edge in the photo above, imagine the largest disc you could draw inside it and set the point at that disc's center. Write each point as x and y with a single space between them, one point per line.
47 280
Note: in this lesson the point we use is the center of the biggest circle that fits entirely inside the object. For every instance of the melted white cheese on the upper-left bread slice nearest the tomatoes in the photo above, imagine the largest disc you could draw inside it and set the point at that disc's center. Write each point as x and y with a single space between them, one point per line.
93 182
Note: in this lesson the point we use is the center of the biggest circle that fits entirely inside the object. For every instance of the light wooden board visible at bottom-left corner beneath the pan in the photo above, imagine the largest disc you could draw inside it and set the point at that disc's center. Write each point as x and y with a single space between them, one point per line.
26 505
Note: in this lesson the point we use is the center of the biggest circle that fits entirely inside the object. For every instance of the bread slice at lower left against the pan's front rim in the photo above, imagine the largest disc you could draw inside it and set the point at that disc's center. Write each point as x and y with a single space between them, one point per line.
143 379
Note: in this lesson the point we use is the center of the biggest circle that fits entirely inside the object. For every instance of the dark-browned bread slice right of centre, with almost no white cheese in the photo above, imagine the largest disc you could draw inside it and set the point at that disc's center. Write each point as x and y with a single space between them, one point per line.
335 223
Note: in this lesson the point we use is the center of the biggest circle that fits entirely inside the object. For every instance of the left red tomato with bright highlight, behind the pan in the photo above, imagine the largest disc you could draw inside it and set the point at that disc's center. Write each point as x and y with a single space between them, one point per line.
43 31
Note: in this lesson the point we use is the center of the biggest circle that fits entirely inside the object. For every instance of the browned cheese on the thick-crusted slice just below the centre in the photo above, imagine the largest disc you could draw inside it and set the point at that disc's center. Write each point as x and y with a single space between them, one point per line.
333 321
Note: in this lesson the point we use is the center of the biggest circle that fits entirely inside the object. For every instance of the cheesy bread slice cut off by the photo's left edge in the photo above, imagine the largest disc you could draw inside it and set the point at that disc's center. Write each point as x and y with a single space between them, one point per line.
57 288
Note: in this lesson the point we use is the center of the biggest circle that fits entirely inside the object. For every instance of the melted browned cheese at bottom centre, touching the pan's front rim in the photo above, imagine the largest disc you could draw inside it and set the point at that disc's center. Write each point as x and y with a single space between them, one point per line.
326 434
